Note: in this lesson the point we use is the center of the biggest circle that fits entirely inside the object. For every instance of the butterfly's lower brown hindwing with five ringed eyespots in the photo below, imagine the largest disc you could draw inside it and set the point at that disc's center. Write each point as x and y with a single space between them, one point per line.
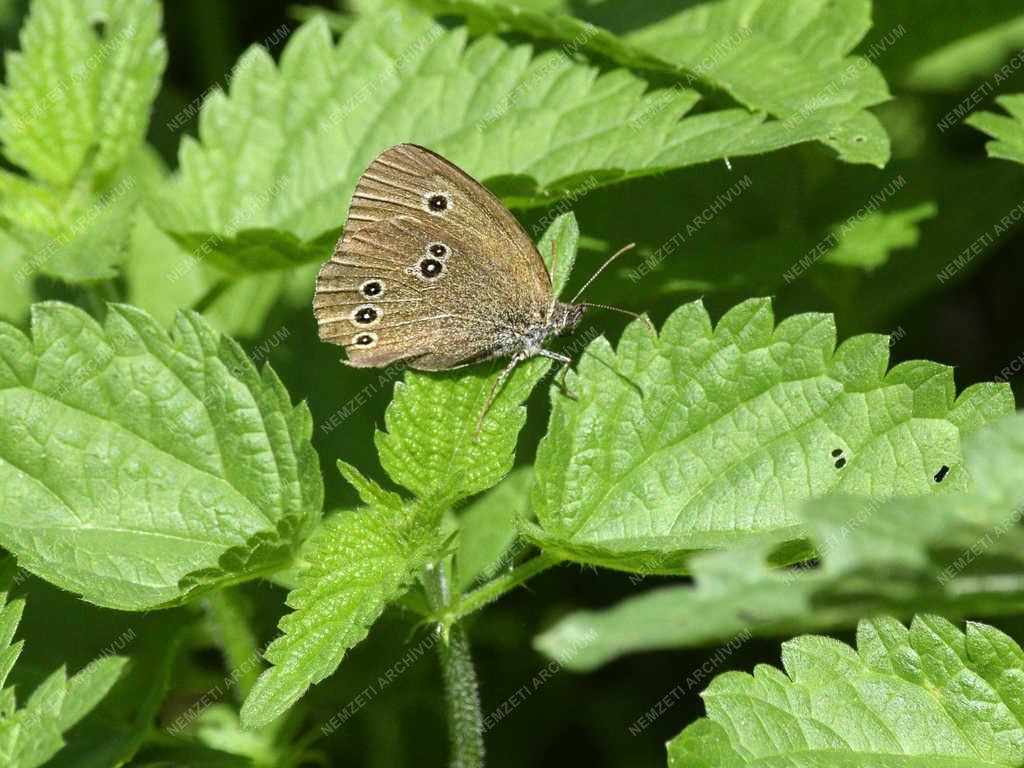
405 289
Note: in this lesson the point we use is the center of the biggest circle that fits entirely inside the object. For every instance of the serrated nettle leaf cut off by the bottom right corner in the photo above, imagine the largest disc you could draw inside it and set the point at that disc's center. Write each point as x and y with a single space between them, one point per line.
929 696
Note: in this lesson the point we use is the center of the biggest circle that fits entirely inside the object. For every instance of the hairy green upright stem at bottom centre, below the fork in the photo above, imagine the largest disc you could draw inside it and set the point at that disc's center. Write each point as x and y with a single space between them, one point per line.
462 695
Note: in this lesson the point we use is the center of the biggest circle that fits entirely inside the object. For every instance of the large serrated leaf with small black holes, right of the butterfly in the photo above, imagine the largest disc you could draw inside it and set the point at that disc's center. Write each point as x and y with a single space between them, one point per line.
703 438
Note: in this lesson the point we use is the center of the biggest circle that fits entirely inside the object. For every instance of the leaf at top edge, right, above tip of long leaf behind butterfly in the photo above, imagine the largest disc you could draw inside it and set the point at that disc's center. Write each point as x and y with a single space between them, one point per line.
791 62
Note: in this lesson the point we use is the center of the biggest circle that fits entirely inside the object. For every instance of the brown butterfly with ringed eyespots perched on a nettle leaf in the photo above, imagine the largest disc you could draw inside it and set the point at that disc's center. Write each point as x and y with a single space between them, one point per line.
435 272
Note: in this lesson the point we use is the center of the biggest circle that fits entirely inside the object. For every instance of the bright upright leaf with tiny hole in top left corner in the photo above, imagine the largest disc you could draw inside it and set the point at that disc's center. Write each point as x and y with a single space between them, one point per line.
76 99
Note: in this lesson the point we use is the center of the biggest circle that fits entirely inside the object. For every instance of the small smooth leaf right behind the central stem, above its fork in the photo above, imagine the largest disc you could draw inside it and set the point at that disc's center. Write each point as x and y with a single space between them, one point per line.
488 528
